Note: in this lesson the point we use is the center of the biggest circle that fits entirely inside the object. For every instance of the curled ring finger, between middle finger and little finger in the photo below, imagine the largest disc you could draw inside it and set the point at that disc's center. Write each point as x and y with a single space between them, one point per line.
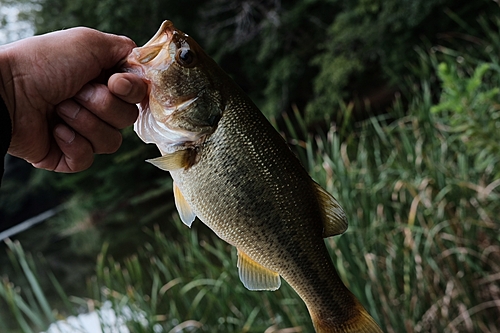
104 138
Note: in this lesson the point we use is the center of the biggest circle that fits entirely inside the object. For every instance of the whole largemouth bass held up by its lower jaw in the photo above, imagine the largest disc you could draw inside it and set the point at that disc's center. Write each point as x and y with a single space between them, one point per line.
236 173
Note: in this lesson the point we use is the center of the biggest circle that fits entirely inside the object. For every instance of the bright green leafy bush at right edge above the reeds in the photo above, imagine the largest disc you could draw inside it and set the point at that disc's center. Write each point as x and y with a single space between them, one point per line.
472 105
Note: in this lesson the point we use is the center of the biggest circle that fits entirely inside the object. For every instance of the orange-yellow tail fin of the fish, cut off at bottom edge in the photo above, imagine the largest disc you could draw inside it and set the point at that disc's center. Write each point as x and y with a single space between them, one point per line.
361 323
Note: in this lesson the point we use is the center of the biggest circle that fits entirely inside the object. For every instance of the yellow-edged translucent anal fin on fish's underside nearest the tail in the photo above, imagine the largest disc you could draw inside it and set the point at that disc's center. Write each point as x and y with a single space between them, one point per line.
255 276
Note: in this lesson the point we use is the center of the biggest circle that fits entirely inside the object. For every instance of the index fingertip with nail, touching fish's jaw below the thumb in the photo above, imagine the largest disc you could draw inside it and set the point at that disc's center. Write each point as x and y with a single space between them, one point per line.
129 87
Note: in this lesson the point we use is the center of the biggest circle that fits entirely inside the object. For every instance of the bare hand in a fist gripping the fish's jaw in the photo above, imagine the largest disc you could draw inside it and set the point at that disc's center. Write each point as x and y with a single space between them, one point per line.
64 105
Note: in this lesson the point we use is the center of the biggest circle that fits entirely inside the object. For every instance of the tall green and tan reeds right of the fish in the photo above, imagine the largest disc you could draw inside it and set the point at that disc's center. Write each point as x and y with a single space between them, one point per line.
422 250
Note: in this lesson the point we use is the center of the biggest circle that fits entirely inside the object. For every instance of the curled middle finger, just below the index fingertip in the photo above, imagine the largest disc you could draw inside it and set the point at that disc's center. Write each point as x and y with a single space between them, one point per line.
100 101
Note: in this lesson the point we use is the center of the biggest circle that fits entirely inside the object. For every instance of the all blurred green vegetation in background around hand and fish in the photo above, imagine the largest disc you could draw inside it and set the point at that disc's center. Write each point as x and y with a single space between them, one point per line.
392 106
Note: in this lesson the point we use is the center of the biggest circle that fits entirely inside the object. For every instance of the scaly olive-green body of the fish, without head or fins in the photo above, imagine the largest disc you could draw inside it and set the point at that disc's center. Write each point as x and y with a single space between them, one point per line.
273 227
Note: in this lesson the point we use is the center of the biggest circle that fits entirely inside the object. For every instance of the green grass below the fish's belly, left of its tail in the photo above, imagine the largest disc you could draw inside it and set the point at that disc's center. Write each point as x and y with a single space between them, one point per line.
192 283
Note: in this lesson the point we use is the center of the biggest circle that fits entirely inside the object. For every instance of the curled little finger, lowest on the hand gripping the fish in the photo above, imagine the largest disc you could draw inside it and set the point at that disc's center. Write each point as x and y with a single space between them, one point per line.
70 152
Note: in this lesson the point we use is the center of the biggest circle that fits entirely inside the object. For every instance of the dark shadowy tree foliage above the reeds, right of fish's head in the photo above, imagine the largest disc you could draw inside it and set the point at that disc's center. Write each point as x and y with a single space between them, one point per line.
339 51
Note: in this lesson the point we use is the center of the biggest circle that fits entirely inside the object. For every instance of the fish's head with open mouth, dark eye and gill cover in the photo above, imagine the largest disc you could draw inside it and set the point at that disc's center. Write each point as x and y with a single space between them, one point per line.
184 104
